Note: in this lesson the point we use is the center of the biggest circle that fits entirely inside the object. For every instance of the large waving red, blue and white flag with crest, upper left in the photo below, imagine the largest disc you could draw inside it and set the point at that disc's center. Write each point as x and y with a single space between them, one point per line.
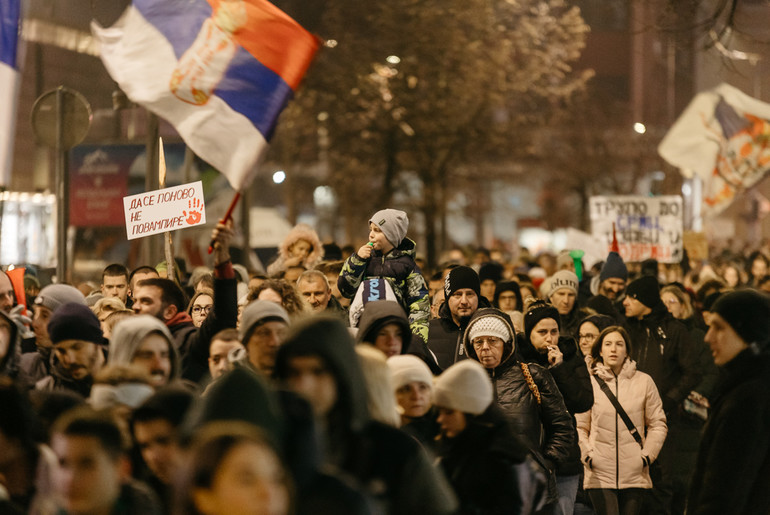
220 71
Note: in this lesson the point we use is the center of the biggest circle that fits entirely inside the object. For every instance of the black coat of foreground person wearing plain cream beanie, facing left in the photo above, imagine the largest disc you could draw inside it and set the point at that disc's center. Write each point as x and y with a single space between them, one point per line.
481 464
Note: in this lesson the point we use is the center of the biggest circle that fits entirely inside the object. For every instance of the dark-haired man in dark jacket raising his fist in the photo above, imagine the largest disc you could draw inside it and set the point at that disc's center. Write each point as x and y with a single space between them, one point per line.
164 300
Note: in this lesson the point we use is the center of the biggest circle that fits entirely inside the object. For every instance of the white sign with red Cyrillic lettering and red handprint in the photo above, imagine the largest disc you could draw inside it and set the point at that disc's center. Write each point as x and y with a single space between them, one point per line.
164 210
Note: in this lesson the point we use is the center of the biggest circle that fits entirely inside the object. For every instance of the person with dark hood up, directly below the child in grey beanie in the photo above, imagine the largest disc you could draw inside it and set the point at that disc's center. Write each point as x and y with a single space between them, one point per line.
384 325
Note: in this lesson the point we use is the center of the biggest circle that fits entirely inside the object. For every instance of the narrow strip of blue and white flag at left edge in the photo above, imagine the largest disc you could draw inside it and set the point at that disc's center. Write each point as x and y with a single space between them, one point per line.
10 19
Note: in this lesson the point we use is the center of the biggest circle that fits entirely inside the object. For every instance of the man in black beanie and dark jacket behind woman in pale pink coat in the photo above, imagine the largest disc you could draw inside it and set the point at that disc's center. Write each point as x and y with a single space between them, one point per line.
664 349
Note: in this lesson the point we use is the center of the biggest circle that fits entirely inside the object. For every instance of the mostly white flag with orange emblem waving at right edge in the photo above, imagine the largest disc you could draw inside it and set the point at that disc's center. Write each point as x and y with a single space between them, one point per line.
723 137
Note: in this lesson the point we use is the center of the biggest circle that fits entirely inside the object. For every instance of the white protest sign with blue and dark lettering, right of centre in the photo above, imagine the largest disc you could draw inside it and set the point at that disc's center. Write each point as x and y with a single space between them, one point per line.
647 227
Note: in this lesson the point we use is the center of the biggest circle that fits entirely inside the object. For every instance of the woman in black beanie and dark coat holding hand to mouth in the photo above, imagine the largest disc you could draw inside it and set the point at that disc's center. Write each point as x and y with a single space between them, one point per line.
541 343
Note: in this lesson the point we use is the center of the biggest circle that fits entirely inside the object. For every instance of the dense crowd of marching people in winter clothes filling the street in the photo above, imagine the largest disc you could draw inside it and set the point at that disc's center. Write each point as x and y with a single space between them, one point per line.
358 381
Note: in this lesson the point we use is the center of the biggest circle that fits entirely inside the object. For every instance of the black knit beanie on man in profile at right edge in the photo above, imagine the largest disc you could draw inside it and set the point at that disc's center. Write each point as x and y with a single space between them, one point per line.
748 313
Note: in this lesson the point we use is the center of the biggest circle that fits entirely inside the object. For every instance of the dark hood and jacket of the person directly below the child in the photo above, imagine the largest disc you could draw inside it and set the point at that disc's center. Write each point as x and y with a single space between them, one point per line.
379 313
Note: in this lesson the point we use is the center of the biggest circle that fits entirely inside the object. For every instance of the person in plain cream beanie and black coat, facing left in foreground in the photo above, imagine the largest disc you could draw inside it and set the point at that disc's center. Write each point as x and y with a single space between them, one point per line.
485 462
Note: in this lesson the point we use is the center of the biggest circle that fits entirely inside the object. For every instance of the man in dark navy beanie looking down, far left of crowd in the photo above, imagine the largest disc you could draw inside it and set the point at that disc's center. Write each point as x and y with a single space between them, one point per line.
78 350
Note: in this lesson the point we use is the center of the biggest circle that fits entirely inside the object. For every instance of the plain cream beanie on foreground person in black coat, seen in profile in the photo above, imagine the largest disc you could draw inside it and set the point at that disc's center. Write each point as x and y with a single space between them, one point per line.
465 386
